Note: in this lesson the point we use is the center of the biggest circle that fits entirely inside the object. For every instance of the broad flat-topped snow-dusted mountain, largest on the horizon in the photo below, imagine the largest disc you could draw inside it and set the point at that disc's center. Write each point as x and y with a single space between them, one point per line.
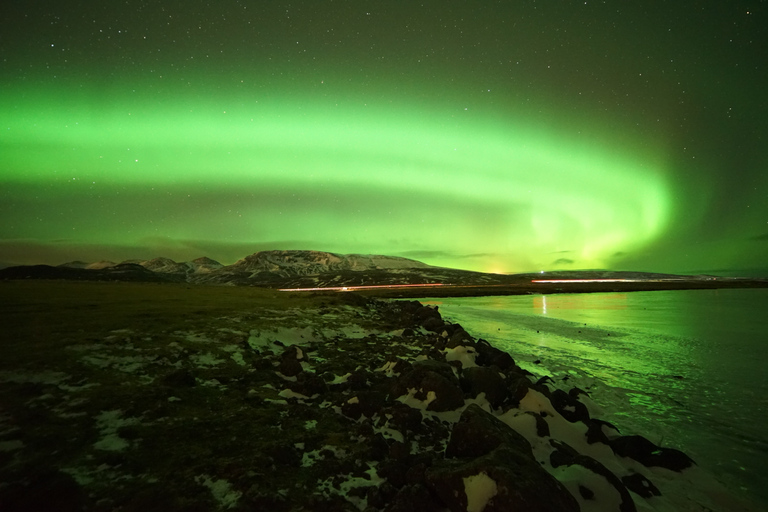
305 263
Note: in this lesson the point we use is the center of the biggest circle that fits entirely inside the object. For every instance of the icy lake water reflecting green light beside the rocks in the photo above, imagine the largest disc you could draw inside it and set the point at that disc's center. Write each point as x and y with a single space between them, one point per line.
686 369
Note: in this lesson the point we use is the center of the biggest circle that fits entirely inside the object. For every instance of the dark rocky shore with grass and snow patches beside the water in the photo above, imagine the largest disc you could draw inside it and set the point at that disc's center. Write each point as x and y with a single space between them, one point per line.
306 403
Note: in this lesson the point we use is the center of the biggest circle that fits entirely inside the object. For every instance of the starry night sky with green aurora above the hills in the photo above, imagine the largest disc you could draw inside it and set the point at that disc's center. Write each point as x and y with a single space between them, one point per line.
494 136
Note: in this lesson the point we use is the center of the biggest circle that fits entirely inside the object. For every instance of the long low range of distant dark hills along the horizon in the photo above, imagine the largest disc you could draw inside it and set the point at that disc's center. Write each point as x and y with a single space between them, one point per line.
317 269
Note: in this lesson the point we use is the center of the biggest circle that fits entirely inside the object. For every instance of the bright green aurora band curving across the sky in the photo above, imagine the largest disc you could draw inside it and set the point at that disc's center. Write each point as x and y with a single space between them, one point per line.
489 191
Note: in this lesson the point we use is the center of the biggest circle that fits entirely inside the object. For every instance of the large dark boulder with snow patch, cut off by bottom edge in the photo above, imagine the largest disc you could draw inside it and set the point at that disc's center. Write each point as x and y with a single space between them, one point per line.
513 481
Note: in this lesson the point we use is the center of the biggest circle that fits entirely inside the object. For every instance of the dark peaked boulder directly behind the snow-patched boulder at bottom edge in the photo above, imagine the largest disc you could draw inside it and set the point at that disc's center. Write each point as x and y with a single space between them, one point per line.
477 433
